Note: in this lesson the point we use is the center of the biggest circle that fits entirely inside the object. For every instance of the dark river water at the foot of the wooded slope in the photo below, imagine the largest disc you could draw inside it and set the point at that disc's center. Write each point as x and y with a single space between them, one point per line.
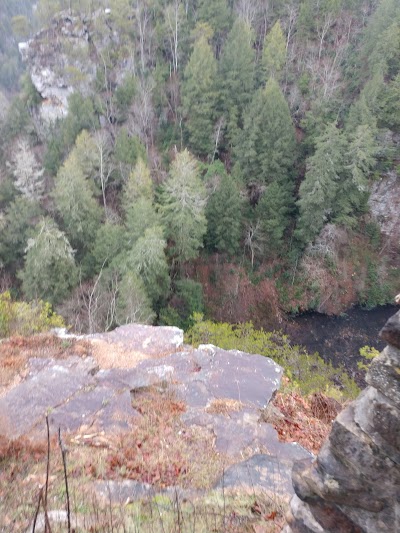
338 339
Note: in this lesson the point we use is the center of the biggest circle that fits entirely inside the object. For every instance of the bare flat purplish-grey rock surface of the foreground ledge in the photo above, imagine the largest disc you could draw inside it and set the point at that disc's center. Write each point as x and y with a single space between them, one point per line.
90 398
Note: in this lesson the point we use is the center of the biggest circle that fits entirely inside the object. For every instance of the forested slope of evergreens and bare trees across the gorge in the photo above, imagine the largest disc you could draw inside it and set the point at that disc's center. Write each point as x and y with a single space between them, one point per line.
217 156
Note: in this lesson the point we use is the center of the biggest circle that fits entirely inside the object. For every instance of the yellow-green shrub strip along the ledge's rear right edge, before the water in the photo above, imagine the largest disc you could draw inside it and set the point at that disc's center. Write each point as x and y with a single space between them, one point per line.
307 372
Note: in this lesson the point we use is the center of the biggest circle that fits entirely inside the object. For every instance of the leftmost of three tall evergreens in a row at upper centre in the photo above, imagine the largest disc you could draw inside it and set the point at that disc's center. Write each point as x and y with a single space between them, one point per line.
199 97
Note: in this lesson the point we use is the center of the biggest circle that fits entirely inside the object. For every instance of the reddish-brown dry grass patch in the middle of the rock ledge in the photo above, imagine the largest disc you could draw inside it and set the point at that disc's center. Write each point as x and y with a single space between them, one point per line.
161 450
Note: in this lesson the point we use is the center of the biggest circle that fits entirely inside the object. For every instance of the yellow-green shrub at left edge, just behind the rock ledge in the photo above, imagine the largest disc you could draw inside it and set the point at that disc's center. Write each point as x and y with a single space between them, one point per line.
22 318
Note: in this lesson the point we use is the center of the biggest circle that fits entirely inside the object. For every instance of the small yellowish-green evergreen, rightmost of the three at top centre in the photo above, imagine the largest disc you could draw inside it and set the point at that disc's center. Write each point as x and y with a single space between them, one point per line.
274 54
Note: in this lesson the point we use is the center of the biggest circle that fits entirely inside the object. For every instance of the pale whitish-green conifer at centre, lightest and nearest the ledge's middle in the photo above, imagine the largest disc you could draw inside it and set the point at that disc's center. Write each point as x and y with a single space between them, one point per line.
183 200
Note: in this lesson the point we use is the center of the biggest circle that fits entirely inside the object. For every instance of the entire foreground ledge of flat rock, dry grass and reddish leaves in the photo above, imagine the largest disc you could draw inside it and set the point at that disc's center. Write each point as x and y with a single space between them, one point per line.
159 435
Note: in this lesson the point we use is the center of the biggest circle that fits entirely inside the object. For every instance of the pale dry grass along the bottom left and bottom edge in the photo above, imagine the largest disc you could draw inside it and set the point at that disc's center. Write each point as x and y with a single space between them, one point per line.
22 476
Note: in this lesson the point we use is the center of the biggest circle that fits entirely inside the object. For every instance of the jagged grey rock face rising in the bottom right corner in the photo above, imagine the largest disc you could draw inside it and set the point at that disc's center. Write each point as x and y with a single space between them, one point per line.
354 483
